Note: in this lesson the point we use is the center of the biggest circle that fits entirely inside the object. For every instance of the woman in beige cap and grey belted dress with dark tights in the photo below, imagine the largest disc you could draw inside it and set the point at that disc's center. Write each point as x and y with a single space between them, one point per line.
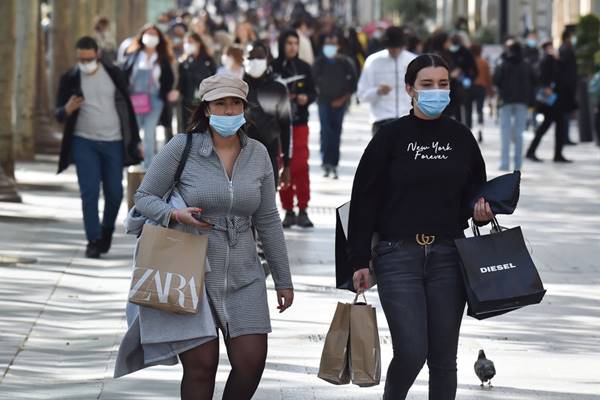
228 178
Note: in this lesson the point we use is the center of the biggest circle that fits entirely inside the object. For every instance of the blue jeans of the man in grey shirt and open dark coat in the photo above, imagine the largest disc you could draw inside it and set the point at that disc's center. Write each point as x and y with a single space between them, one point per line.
98 162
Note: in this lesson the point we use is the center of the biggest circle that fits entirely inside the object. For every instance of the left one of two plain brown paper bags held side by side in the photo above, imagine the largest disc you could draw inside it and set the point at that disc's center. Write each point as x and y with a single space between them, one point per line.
334 359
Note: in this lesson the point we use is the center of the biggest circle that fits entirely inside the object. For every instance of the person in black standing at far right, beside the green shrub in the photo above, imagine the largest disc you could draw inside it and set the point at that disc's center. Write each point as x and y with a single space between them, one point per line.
567 83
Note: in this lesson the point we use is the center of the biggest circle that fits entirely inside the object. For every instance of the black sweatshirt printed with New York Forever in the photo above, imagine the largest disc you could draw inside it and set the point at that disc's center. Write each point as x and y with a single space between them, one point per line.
415 176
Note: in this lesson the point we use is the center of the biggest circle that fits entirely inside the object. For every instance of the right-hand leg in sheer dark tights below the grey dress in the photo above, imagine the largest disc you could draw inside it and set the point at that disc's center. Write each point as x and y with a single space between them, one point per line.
247 355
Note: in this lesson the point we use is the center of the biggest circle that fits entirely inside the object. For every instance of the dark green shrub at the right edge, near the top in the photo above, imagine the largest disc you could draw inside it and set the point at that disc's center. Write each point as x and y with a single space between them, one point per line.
588 45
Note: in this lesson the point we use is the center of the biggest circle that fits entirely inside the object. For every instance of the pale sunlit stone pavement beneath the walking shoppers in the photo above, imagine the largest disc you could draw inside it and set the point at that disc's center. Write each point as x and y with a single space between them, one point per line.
61 319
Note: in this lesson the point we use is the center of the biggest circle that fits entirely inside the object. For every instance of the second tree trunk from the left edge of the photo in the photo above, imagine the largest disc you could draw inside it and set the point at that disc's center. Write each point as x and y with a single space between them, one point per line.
28 20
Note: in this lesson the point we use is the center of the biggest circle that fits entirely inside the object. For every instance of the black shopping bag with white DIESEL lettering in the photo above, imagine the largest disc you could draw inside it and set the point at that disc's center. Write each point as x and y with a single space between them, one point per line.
498 272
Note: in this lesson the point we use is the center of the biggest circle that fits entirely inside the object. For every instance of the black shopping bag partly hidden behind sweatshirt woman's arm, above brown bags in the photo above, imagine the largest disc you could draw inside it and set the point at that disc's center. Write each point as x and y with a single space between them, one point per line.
343 270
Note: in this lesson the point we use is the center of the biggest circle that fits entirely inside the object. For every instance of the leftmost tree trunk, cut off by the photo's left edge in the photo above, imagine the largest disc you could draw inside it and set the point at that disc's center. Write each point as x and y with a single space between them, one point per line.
7 55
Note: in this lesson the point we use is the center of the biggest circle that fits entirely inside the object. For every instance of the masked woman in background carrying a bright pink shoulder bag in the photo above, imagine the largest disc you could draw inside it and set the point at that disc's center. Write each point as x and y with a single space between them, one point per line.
151 80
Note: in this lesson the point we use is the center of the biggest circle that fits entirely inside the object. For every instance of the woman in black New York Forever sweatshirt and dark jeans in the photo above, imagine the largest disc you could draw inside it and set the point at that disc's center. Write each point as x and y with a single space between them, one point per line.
411 188
